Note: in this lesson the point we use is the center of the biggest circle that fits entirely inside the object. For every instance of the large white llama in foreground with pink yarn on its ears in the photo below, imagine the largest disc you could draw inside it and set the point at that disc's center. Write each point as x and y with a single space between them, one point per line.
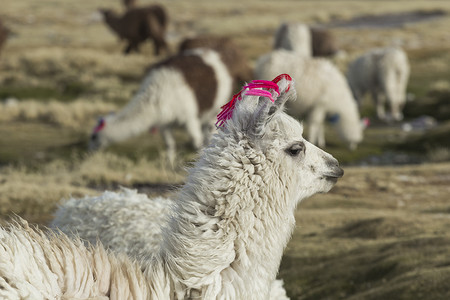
235 211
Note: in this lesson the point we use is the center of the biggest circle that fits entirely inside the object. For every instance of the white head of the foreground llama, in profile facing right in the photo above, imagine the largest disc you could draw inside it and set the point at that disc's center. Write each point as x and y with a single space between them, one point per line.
298 168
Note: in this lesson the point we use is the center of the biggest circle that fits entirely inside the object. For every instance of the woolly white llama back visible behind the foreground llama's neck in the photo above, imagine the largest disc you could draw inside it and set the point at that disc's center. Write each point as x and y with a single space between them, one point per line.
123 222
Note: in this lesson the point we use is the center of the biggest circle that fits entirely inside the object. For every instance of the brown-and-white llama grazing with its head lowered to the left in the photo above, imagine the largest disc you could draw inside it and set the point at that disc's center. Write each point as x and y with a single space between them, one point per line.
187 89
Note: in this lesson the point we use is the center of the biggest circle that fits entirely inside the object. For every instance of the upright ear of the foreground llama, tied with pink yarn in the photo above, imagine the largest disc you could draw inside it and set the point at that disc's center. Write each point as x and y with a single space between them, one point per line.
266 109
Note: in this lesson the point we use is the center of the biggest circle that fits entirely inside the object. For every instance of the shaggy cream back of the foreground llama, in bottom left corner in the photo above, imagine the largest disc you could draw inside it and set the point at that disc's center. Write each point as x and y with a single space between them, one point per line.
54 266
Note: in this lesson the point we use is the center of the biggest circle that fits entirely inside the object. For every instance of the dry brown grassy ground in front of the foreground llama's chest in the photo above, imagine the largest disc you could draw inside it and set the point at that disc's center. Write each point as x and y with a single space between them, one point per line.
381 233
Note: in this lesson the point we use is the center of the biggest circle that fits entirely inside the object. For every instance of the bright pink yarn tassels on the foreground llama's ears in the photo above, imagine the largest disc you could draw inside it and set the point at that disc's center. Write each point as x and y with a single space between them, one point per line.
254 88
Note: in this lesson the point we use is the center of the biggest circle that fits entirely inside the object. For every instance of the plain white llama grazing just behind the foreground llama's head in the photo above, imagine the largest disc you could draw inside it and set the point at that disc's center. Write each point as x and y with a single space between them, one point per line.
323 94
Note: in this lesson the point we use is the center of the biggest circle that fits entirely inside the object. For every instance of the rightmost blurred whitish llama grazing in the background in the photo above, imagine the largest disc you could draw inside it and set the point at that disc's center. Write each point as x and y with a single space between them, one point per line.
384 74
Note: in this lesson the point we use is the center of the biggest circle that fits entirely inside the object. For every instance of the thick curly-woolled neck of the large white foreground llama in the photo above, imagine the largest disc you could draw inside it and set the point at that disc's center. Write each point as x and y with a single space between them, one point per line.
230 226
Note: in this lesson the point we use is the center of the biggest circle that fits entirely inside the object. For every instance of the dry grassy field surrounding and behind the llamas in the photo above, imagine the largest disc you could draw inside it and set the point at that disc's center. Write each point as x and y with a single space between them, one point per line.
380 233
